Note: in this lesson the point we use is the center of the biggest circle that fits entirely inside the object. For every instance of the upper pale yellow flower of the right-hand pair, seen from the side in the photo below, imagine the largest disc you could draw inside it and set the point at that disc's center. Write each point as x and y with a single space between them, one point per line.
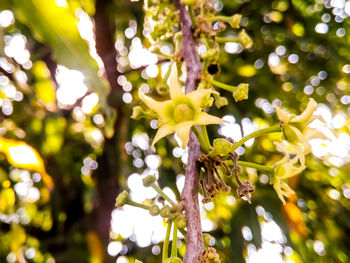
295 129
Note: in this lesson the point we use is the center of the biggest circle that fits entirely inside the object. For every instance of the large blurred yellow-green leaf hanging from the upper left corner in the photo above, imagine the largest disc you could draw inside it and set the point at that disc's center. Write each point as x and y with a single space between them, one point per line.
57 27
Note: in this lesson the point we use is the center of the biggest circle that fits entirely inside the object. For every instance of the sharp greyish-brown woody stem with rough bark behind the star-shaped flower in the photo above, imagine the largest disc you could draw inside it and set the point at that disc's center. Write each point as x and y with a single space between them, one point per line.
189 195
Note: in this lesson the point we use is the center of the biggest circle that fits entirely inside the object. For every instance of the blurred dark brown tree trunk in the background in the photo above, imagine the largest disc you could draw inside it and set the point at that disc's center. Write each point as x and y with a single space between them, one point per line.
109 162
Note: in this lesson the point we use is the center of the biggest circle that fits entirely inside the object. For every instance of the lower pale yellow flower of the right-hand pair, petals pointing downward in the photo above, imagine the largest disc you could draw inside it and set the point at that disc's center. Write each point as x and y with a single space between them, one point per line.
283 170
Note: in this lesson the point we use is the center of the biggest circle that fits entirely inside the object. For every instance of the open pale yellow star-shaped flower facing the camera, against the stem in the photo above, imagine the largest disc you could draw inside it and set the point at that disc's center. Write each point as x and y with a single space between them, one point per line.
181 112
